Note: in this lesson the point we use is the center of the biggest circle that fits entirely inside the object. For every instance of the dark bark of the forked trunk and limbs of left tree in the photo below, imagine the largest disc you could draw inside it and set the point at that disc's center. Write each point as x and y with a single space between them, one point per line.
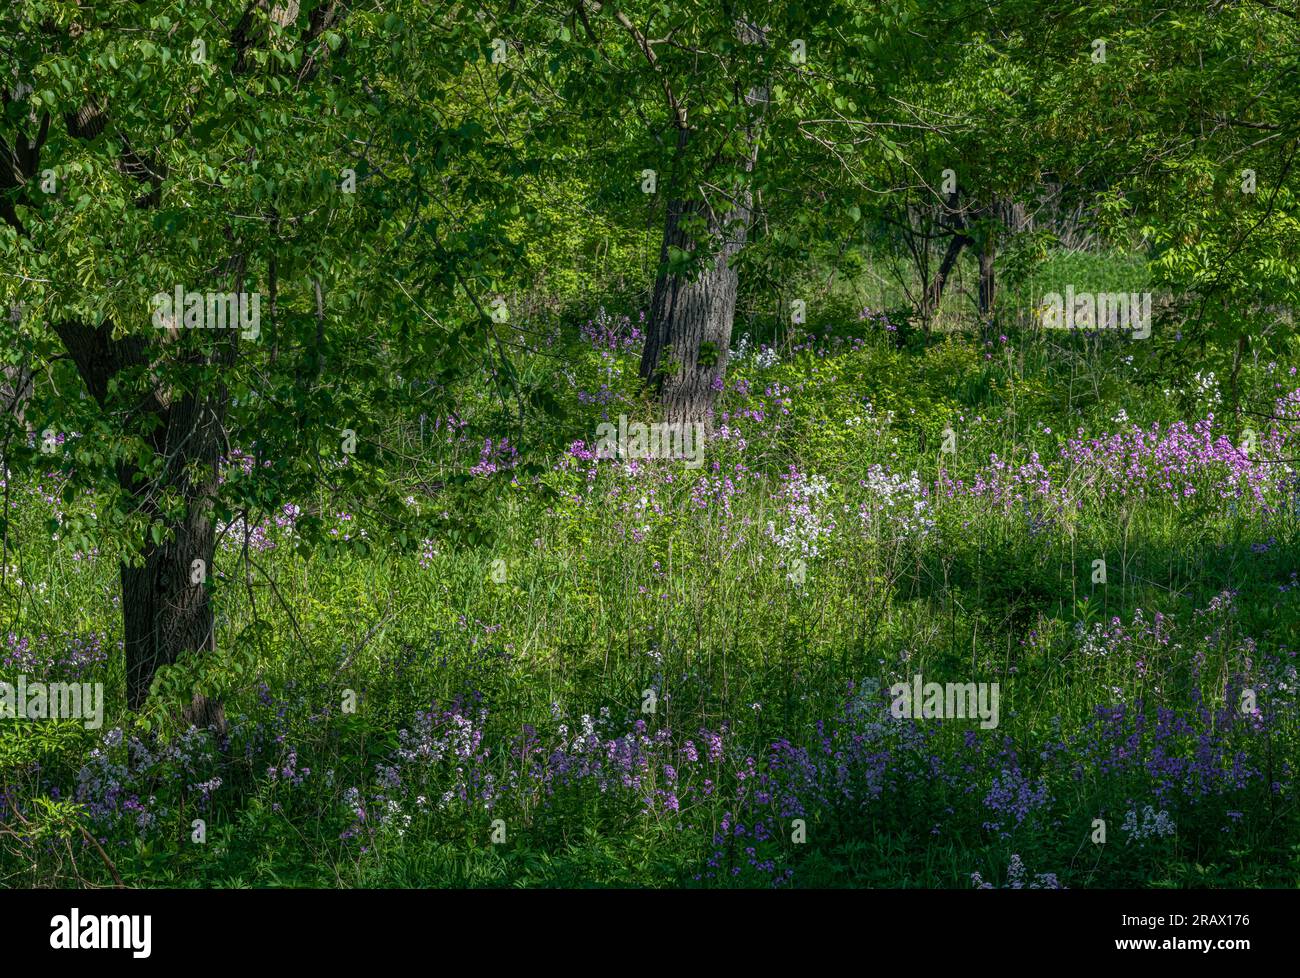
166 613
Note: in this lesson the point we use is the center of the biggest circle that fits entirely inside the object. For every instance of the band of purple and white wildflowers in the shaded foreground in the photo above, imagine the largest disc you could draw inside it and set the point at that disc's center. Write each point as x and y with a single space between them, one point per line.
861 760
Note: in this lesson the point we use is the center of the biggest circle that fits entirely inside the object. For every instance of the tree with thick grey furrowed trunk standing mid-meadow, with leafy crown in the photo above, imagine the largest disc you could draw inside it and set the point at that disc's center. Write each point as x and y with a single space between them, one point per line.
713 109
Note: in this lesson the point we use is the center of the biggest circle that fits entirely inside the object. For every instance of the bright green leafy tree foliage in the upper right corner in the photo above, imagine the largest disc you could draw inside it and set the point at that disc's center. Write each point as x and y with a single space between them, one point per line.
1184 128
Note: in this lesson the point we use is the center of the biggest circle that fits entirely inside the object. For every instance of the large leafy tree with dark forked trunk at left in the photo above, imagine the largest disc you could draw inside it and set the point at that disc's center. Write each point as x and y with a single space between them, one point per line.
224 150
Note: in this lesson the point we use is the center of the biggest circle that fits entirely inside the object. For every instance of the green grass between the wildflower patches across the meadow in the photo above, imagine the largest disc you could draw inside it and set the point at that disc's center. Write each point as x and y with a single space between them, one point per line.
704 612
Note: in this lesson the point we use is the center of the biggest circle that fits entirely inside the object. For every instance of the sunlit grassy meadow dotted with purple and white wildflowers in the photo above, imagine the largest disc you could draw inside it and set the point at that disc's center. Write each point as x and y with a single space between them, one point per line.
634 673
